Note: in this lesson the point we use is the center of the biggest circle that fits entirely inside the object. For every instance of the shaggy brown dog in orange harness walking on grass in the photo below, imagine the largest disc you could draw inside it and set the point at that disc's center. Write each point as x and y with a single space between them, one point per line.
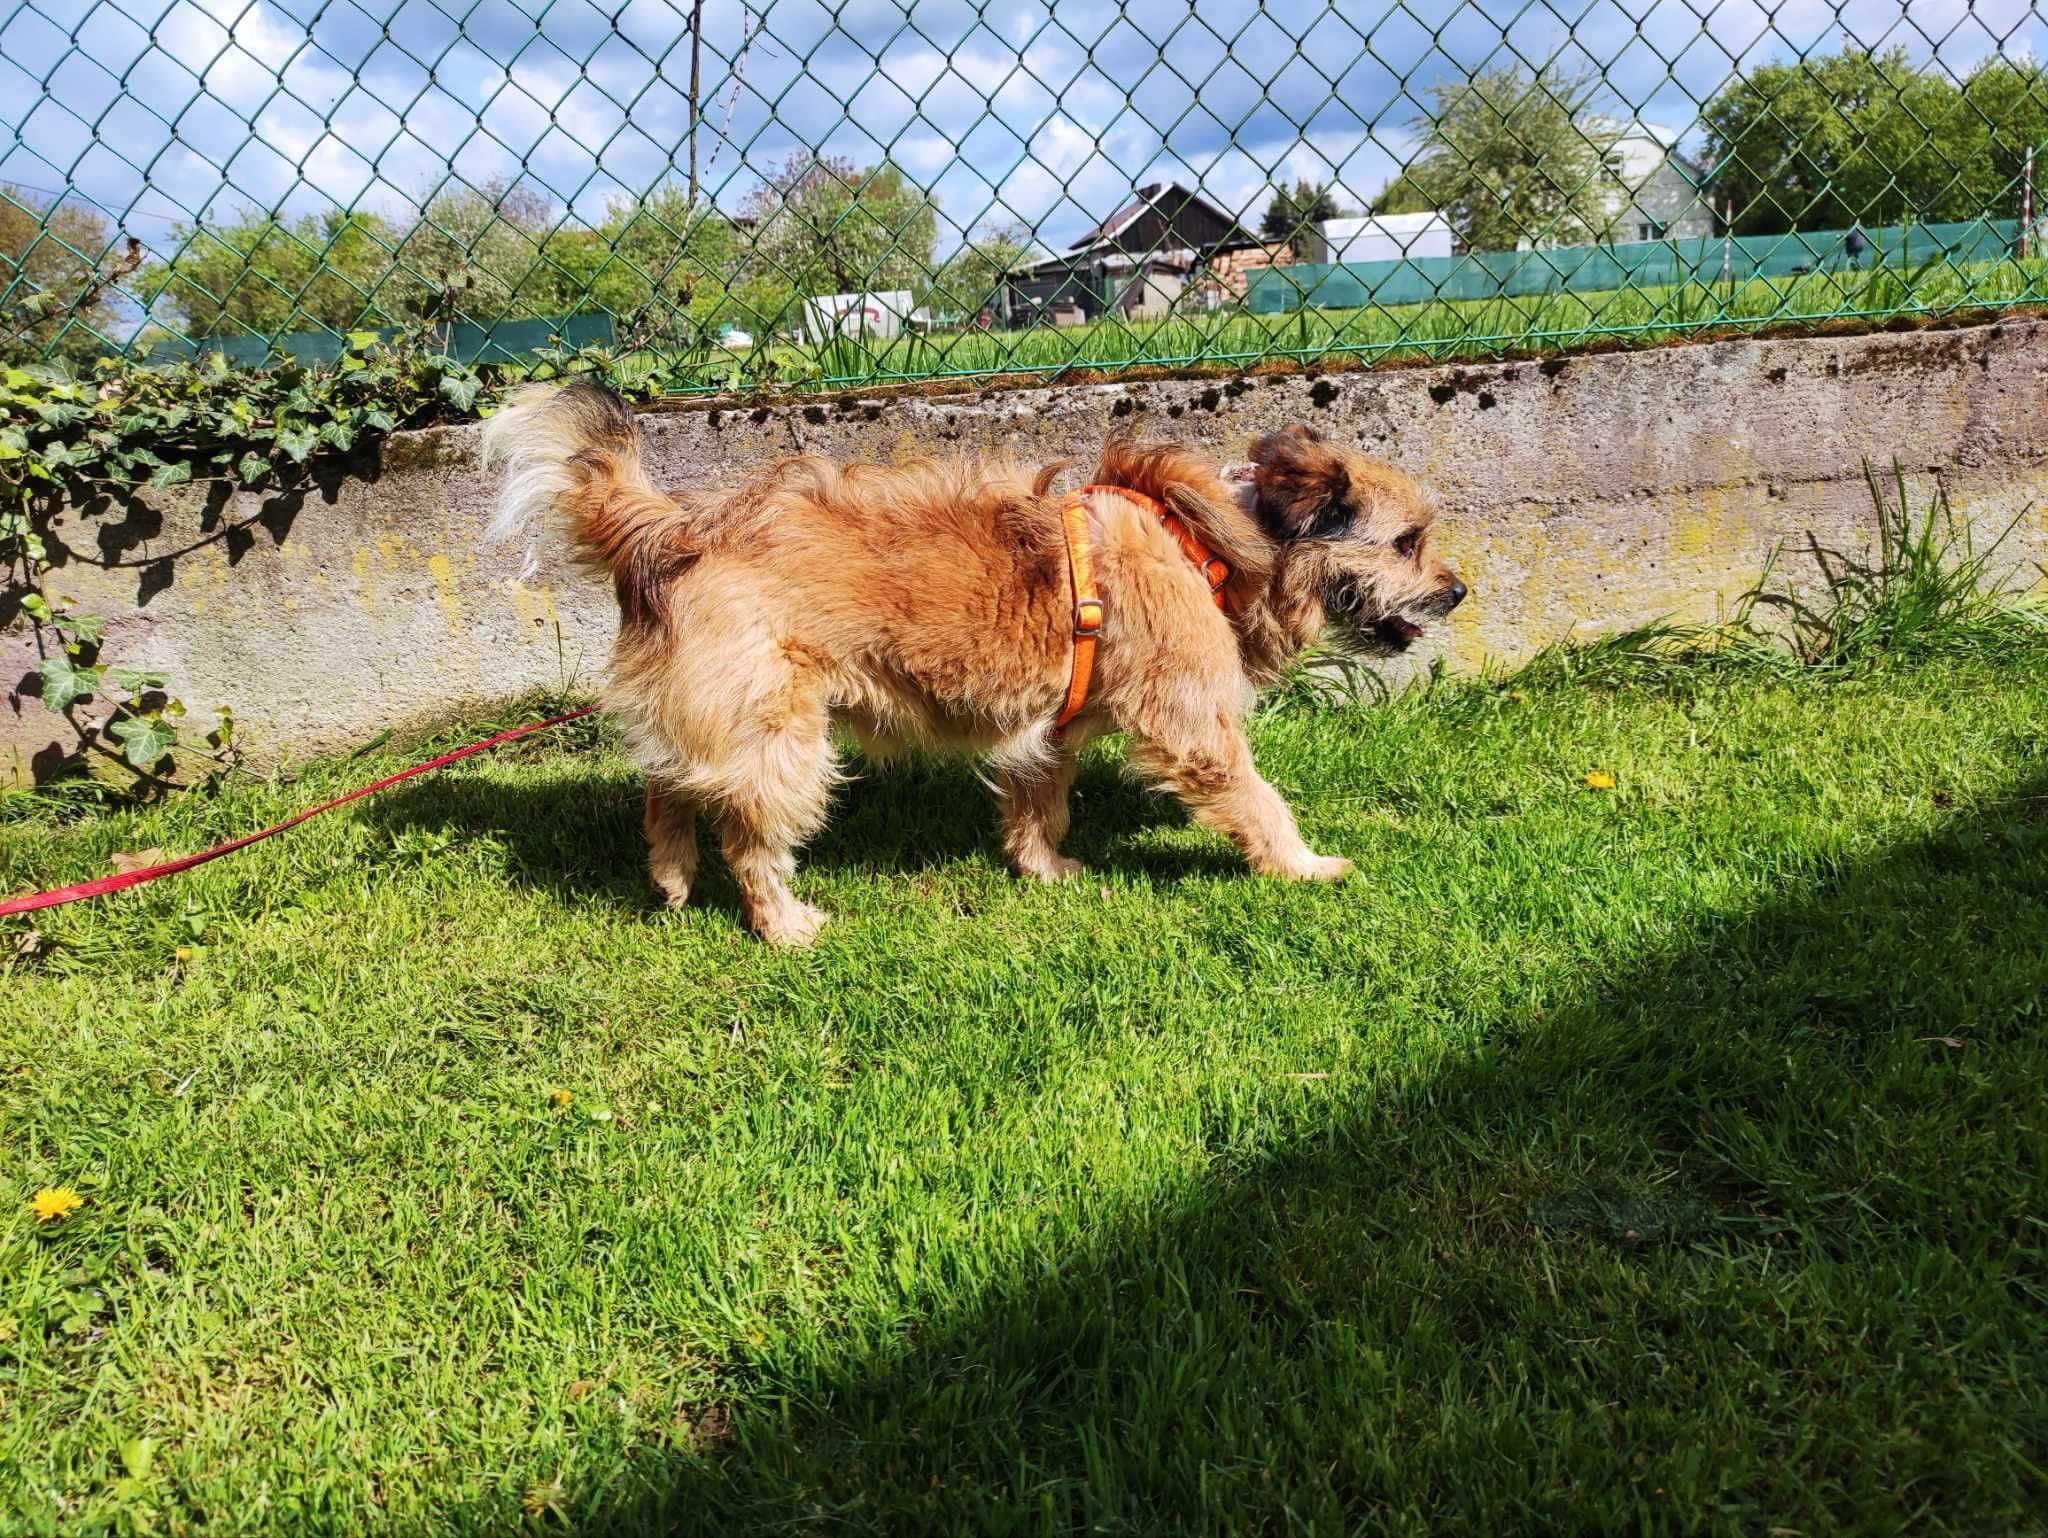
929 607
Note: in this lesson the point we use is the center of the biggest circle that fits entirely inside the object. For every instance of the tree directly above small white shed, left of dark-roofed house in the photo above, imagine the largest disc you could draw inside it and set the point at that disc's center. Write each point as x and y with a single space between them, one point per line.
826 226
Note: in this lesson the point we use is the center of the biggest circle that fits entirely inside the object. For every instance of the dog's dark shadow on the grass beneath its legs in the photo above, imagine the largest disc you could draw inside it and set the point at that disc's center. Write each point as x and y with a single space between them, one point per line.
581 837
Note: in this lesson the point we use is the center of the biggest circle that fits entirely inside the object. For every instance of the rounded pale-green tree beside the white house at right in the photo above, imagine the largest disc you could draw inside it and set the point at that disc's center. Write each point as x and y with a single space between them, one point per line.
1512 157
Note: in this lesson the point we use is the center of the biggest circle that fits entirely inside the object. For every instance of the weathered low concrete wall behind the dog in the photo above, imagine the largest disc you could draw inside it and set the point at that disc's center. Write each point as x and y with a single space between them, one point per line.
1578 497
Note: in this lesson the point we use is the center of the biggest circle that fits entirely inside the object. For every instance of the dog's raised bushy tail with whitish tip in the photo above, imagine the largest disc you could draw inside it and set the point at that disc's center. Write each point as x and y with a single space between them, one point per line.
572 460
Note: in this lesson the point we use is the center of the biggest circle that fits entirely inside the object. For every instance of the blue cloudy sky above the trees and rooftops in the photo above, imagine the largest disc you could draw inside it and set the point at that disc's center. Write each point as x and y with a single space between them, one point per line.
1011 112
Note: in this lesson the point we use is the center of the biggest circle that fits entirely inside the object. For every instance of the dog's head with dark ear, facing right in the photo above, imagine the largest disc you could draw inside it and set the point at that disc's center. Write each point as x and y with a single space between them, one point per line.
1355 533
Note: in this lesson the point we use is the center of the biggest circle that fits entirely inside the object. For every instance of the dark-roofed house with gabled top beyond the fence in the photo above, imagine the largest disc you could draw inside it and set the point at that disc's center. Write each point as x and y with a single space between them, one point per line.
1136 263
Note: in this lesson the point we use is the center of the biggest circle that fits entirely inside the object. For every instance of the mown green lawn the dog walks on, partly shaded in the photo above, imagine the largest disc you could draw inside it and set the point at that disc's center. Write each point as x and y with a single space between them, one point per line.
1648 1158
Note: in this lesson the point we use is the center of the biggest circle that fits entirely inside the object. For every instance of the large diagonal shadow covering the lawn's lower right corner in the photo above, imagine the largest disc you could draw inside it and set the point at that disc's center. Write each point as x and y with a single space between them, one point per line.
1748 1238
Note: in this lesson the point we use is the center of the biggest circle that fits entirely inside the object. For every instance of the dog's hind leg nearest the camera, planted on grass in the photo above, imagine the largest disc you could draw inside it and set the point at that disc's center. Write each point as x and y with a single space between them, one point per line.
775 800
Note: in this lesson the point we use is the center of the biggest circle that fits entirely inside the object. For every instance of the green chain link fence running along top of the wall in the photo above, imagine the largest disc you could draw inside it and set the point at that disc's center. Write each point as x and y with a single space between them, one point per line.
798 194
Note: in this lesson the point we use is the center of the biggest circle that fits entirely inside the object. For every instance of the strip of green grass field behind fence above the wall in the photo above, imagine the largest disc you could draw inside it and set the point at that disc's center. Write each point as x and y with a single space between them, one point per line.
1398 333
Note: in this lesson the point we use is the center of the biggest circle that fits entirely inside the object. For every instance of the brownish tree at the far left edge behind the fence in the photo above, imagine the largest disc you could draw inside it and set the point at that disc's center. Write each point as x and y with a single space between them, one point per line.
50 257
